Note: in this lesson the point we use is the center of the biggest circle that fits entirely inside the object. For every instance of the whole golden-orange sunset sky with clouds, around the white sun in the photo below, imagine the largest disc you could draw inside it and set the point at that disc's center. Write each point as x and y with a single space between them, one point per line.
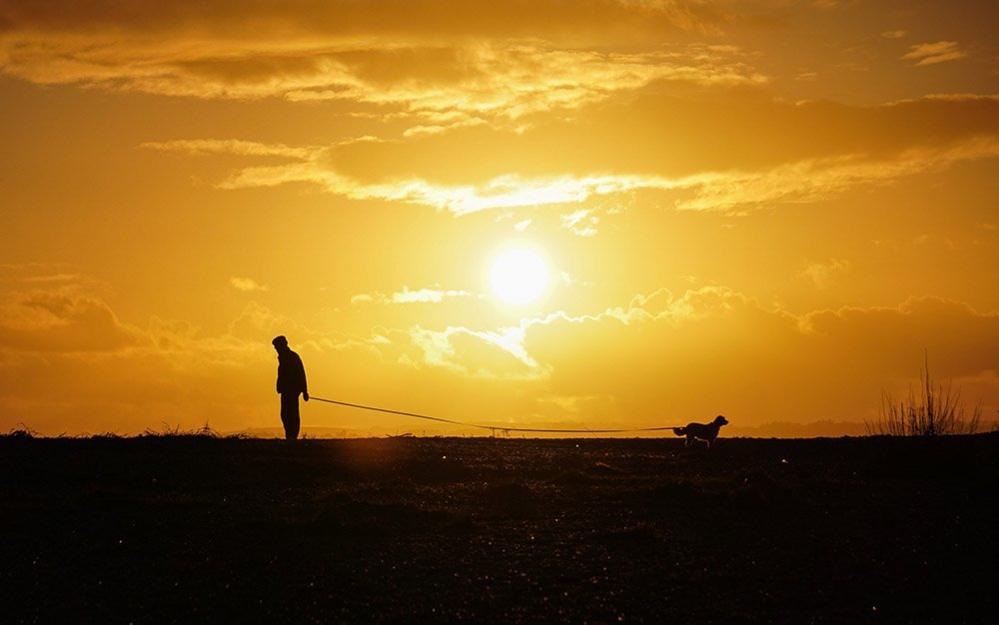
761 208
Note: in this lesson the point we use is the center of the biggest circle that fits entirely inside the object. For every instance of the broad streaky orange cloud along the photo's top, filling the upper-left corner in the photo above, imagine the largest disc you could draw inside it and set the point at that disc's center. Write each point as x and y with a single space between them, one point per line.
426 57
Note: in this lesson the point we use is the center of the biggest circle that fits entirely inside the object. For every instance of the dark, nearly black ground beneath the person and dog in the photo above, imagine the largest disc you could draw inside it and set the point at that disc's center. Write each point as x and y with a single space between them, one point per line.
186 529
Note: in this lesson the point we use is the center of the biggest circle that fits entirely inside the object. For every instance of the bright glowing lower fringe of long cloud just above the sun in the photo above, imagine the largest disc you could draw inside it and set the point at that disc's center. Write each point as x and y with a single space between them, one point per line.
807 180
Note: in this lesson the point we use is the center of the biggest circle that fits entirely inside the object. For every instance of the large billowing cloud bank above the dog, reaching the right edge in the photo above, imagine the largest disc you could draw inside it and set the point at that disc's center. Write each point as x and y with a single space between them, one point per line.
717 349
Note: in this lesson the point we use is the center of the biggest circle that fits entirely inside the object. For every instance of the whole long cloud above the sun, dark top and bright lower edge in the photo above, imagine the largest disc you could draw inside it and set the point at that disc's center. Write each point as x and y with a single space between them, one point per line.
812 151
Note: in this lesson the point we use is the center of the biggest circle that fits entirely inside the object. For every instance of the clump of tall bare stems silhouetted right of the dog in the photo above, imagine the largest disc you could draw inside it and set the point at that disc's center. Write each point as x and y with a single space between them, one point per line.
934 409
